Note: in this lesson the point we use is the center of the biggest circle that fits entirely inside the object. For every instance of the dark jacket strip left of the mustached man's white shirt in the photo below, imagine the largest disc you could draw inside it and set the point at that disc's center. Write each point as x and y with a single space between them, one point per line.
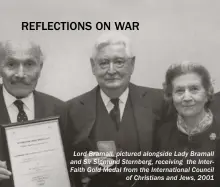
4 117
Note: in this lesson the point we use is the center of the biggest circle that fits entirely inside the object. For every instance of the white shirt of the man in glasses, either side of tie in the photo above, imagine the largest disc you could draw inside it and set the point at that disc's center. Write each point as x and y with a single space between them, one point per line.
122 102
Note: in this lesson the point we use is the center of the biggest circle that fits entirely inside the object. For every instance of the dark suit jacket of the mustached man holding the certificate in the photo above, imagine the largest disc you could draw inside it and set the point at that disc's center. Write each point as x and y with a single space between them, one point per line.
45 106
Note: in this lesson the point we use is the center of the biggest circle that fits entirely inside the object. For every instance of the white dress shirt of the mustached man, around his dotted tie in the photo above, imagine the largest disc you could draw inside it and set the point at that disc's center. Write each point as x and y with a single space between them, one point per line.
13 110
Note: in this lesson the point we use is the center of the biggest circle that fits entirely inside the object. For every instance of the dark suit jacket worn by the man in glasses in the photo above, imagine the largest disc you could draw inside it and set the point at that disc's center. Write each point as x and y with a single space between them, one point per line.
80 117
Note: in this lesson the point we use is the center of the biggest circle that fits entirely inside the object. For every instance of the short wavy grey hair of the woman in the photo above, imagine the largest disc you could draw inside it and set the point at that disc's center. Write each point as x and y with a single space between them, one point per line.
175 70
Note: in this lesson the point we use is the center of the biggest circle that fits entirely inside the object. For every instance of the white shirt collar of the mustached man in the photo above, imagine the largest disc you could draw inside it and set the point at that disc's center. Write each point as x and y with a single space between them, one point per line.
9 100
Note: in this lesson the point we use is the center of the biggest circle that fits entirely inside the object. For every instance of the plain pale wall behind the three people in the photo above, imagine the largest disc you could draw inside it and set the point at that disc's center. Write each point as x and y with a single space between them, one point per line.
170 31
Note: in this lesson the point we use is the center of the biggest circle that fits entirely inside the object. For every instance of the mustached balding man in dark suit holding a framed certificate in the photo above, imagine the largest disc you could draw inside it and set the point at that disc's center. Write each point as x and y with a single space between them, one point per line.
20 68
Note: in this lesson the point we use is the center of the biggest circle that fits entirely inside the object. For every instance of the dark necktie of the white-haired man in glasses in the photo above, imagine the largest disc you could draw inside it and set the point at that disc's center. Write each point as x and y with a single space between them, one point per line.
115 112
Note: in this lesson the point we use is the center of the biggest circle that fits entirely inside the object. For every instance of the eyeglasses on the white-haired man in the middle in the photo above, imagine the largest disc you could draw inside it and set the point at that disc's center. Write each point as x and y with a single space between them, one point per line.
117 62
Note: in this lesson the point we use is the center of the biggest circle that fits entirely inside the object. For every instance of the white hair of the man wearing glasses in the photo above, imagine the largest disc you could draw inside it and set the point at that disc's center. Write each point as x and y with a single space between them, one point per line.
112 38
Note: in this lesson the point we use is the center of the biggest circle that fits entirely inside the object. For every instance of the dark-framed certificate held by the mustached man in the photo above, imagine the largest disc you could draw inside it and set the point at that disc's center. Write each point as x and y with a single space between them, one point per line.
35 153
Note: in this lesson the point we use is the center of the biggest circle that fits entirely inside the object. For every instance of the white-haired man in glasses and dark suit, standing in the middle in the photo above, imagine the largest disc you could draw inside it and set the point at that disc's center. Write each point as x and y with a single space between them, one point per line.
114 111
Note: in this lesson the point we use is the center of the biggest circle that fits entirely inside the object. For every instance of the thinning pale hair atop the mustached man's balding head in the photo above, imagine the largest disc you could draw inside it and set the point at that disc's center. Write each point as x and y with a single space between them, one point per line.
8 45
